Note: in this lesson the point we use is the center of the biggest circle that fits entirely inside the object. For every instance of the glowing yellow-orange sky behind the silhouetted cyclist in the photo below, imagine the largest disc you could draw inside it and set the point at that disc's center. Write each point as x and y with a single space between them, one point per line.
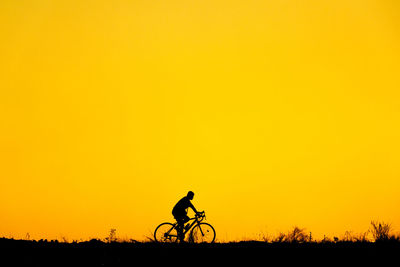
275 113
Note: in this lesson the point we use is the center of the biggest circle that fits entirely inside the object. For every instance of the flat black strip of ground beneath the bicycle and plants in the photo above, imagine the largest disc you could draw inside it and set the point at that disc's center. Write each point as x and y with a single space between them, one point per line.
97 253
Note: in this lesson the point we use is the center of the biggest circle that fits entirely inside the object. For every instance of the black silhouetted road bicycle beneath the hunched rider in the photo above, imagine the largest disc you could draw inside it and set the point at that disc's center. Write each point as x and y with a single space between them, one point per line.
200 232
